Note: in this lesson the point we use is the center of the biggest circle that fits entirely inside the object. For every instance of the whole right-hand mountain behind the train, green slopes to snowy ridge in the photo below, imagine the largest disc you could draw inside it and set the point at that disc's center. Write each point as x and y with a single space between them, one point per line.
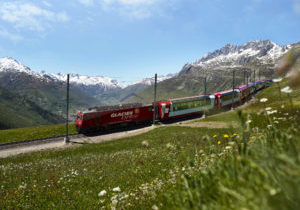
254 59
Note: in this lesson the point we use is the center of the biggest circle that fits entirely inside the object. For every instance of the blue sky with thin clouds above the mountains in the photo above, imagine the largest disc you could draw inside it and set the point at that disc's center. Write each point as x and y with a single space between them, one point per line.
132 39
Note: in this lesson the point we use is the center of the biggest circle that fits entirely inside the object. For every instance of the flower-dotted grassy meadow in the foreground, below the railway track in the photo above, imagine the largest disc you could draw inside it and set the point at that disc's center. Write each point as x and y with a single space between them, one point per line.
181 168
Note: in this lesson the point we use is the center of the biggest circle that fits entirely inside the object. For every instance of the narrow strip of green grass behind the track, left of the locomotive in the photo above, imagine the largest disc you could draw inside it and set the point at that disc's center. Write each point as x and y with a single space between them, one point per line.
20 134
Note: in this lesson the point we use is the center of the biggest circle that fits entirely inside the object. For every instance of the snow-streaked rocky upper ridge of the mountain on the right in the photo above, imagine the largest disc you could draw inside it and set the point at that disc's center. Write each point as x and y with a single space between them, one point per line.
264 52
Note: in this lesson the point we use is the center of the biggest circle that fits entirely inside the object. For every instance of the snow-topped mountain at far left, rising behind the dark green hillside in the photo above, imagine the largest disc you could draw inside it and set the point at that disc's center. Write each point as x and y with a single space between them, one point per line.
47 92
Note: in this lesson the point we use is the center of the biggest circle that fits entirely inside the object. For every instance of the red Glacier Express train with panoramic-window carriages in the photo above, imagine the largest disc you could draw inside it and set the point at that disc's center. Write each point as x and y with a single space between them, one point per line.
107 117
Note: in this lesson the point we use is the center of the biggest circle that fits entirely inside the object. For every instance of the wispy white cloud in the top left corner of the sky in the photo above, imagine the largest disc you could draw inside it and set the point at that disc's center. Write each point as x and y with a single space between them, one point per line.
29 16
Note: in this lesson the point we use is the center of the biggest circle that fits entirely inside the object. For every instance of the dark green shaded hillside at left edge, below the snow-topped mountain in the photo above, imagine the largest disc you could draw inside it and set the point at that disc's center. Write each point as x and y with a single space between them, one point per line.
17 111
